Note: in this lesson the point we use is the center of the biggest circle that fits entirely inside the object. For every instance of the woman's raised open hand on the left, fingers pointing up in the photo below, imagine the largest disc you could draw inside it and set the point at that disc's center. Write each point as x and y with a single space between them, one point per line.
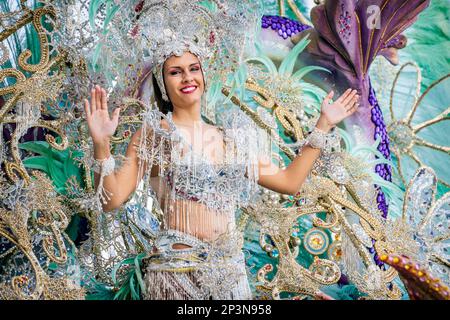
101 126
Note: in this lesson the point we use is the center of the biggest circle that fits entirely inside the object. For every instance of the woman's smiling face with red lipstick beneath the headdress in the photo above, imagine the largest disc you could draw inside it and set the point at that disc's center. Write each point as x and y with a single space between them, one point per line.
183 78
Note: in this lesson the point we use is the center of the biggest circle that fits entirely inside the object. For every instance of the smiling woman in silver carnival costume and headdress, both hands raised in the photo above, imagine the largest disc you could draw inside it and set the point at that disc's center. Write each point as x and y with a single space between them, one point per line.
201 173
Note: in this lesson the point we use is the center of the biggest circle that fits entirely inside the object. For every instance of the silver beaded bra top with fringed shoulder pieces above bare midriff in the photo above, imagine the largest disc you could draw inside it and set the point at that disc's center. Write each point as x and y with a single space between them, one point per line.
192 176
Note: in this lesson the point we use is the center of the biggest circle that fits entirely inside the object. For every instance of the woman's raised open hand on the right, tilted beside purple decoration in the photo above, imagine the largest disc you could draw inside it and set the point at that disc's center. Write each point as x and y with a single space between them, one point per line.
344 106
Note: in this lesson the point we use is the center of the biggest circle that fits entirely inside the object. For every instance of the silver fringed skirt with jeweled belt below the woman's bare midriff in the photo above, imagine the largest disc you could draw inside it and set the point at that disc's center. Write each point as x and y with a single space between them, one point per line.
203 271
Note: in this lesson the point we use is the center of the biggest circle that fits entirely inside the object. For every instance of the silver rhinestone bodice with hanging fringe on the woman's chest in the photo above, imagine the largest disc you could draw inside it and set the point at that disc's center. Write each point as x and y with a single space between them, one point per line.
192 176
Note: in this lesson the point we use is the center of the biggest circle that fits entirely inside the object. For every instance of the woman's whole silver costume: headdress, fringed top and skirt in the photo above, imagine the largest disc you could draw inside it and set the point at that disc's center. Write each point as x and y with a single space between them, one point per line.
197 197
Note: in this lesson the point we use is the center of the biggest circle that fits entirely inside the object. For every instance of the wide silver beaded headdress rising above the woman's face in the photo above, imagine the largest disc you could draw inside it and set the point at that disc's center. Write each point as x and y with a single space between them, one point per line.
216 31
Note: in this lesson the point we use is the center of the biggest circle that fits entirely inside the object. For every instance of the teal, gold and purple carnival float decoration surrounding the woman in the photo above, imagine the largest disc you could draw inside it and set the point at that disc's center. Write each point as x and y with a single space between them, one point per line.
335 239
